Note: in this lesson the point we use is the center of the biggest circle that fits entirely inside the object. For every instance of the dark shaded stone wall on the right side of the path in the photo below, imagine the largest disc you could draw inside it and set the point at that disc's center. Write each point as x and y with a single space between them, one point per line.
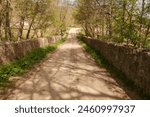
135 63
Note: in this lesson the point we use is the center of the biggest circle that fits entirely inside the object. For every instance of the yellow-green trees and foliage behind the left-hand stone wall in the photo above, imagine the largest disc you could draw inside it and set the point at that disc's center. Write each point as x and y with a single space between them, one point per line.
27 19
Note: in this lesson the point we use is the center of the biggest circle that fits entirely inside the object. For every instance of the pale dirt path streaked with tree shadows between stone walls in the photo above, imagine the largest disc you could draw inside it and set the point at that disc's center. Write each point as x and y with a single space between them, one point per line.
68 73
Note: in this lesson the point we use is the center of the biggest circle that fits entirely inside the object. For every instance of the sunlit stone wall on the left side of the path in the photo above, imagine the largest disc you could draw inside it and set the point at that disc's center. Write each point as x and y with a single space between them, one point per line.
10 51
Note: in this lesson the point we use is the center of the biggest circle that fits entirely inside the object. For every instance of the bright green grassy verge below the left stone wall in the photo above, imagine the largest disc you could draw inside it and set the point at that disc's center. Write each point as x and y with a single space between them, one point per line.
25 63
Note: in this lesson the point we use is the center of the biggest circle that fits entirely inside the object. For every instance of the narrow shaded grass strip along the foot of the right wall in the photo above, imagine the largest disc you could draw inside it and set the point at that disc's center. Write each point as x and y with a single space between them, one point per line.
118 74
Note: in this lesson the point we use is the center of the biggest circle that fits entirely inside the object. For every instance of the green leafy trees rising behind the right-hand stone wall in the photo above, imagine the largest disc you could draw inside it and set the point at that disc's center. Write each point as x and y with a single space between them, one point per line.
123 21
